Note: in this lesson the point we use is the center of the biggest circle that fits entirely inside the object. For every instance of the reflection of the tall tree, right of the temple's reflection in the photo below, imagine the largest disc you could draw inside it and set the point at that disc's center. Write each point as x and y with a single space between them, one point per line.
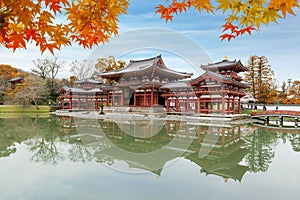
261 152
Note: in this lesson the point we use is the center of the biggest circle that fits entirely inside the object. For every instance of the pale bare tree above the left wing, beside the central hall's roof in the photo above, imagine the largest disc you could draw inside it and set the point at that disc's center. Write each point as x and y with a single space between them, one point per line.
82 69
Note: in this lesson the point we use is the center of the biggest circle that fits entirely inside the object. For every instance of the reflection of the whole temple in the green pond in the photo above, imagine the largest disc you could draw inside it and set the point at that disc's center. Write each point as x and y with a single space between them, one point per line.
150 145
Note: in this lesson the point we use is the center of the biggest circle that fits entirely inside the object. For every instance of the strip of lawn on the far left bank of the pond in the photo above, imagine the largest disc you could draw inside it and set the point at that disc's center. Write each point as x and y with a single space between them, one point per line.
23 109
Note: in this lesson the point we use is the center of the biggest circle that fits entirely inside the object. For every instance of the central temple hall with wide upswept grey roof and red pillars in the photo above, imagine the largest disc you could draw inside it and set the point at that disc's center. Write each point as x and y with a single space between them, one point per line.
138 84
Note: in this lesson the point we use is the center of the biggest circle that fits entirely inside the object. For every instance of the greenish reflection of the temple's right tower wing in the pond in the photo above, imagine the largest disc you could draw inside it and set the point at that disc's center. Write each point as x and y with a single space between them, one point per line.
217 150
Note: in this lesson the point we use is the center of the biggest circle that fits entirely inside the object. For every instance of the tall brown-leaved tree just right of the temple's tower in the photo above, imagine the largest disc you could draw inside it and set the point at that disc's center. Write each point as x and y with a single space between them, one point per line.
260 77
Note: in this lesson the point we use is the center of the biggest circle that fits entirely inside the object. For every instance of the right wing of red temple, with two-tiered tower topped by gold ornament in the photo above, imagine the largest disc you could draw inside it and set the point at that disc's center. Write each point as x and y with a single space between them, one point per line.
218 90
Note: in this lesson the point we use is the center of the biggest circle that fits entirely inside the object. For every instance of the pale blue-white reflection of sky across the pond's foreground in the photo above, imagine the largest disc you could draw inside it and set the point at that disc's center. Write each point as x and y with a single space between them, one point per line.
24 179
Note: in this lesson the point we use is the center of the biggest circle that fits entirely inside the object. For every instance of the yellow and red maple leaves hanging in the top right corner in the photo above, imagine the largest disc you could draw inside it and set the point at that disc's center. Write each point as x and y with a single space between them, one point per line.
246 15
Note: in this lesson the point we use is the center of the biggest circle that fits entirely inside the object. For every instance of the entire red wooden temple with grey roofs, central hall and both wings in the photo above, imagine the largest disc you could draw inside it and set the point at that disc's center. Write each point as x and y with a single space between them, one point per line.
149 83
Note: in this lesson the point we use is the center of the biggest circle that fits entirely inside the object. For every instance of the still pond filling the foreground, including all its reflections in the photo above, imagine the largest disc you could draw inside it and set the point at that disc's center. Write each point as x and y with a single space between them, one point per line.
70 158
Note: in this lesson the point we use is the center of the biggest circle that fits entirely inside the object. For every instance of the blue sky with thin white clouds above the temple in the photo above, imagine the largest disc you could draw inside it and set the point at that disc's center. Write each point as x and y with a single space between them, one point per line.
190 40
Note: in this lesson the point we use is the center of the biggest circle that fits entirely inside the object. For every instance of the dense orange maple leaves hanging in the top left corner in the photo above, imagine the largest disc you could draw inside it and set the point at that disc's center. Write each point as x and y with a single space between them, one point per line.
51 24
